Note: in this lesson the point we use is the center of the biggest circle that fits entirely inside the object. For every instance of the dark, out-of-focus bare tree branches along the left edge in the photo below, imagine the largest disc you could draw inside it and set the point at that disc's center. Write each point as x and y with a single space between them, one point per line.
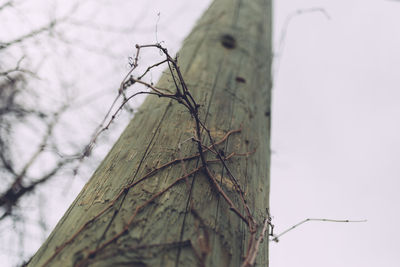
15 88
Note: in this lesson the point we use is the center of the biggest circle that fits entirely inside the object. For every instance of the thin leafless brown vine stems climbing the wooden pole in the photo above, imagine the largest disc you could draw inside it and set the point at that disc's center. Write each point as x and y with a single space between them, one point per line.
181 96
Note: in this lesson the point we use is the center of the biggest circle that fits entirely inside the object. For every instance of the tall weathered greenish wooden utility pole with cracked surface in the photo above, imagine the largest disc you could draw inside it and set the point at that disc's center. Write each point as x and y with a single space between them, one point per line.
154 200
